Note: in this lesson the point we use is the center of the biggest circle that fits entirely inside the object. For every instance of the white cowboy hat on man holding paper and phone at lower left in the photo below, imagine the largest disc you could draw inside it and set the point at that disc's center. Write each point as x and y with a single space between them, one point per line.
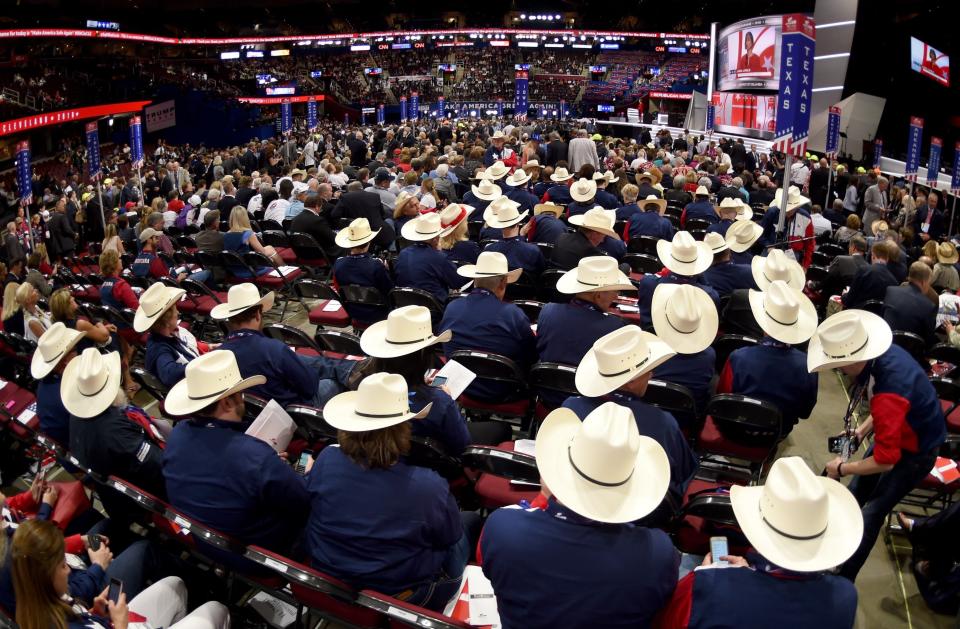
208 379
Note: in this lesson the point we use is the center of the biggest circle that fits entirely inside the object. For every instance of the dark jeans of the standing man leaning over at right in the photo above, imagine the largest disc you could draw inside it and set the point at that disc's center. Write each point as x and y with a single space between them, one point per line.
878 494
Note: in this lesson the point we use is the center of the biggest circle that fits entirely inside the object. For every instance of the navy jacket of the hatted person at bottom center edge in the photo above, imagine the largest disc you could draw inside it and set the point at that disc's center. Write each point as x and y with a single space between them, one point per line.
547 567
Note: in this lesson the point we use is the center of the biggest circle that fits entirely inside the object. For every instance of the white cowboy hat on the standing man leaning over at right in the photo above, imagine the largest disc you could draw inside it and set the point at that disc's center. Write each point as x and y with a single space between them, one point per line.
848 337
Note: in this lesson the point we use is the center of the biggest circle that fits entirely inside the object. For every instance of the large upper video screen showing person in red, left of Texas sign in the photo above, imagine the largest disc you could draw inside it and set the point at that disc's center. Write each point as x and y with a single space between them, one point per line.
747 54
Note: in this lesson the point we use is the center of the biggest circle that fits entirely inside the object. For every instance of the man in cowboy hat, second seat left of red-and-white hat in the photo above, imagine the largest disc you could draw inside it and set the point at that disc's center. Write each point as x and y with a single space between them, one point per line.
359 268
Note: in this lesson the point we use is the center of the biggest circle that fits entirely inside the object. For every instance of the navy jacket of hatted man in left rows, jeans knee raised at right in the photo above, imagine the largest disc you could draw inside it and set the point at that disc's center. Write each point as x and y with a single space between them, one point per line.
289 379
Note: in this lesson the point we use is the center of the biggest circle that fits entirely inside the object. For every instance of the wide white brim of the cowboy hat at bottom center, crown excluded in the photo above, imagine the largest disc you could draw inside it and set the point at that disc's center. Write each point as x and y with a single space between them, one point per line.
631 501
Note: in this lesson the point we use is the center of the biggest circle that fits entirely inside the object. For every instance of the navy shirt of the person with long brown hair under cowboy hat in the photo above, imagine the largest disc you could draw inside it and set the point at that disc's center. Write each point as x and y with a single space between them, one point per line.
383 529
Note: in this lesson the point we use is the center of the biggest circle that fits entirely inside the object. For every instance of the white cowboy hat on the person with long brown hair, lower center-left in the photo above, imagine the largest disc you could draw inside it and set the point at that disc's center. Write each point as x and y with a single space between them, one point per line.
381 401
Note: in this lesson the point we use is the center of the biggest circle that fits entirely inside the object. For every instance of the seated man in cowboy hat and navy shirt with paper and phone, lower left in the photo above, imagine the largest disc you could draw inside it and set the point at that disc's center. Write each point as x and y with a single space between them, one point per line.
247 491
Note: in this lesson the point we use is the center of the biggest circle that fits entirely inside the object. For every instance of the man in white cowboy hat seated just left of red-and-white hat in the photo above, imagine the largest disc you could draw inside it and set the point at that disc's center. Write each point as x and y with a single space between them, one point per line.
421 264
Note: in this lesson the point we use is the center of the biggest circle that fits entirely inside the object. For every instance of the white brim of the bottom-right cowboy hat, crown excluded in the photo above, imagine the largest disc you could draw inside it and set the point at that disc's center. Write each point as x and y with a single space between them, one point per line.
837 544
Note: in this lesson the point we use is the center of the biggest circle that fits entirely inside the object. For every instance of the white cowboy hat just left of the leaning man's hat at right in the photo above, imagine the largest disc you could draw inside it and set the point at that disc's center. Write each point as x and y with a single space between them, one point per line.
784 313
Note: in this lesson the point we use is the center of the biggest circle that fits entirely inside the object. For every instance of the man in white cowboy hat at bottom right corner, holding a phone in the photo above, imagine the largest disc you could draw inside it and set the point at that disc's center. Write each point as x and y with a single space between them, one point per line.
801 526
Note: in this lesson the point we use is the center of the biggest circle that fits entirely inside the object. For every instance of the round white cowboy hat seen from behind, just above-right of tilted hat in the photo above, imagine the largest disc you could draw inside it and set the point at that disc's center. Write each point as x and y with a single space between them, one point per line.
685 317
